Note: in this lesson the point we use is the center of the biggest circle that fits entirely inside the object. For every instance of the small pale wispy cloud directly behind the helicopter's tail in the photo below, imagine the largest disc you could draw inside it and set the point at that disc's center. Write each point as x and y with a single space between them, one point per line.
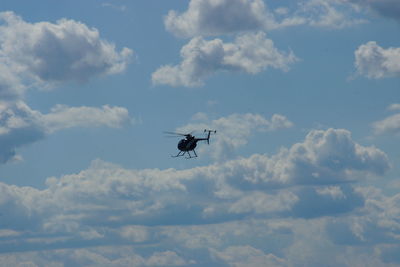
235 130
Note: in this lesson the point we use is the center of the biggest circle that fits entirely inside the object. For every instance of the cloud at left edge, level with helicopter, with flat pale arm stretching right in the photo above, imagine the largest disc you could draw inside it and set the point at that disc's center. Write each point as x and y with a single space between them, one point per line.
20 125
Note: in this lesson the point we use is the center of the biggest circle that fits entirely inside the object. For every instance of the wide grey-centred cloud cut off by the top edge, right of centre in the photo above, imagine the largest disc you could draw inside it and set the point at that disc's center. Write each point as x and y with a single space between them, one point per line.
210 17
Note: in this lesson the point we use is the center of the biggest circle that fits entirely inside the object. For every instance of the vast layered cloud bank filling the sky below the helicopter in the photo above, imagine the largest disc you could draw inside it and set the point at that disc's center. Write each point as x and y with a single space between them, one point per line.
253 199
